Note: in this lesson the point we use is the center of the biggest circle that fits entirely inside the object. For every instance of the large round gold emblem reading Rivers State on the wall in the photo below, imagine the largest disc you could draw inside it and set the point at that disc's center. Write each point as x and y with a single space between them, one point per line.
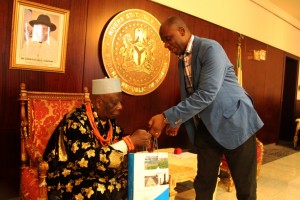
133 51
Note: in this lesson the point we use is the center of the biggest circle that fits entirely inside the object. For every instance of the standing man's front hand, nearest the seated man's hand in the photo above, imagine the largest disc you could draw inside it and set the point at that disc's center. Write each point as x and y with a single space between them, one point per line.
156 125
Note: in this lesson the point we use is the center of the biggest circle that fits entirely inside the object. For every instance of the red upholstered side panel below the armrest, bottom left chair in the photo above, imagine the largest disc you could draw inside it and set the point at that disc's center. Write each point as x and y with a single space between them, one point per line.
29 183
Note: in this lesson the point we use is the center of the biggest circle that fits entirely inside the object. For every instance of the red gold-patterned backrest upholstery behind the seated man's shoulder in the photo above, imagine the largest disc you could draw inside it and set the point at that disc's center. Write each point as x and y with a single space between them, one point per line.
45 116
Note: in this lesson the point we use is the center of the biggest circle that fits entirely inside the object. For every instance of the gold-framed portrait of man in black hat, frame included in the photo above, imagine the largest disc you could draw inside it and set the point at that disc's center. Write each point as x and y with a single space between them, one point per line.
39 37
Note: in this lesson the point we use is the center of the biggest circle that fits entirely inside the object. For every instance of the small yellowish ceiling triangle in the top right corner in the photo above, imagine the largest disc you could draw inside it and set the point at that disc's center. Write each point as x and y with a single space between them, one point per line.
292 7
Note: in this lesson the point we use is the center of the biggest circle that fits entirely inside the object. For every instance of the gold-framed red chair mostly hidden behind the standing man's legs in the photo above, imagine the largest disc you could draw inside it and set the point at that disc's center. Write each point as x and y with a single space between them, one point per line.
225 172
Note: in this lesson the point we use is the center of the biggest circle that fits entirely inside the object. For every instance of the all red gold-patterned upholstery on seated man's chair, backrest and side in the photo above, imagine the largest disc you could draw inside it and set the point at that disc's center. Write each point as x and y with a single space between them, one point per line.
44 116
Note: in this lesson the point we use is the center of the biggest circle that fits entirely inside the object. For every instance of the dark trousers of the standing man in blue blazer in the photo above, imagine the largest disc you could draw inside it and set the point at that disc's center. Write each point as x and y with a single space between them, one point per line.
242 163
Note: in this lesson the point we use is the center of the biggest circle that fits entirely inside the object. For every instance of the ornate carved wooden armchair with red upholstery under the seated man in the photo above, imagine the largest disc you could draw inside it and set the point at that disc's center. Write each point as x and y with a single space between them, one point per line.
41 112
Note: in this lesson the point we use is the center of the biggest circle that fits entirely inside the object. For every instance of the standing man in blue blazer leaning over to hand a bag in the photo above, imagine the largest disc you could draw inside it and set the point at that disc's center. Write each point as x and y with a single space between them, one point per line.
217 112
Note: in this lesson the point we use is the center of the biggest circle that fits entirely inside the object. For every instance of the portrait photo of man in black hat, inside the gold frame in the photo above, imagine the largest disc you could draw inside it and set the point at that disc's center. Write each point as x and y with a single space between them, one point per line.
39 45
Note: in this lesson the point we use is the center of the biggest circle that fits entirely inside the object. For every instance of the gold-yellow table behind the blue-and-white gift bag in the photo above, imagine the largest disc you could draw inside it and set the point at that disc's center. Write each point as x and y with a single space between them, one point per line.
182 167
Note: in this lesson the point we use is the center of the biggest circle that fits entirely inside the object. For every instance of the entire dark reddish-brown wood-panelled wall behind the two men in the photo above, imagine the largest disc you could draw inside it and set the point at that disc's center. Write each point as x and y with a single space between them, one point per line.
263 80
